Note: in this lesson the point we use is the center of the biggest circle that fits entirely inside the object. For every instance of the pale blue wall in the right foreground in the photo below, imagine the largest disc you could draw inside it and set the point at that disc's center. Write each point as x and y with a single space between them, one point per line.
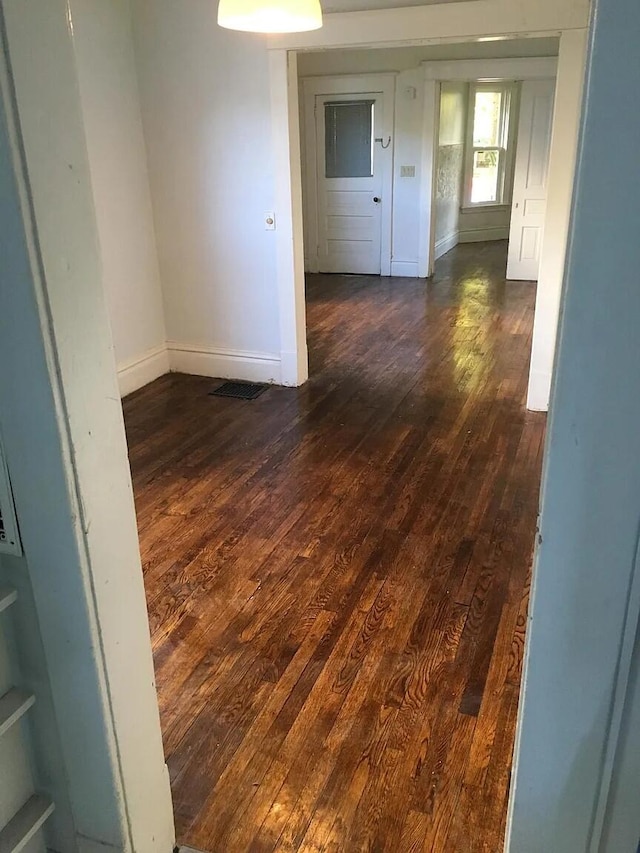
591 493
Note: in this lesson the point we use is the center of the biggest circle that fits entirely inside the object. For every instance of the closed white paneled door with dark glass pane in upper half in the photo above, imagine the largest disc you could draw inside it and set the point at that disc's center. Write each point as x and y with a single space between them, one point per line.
350 182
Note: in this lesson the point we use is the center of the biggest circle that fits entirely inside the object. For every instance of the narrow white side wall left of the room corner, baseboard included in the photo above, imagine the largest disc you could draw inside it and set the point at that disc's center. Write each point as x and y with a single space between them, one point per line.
117 158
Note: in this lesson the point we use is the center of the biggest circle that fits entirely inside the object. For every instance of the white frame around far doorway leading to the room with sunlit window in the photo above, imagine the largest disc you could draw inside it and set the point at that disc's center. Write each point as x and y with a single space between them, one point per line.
460 71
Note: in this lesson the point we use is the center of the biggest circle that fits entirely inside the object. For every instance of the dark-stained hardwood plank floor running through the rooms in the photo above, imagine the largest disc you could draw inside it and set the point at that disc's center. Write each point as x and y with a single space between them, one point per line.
337 576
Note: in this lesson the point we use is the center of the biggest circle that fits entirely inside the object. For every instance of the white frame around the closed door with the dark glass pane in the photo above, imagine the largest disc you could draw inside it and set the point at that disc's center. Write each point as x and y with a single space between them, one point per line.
346 84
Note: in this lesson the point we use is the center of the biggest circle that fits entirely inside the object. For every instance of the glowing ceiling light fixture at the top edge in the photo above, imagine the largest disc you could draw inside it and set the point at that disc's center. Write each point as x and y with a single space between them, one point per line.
270 16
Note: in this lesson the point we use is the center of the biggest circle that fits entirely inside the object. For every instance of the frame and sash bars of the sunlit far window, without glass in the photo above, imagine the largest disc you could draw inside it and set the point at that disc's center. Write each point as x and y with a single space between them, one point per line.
508 113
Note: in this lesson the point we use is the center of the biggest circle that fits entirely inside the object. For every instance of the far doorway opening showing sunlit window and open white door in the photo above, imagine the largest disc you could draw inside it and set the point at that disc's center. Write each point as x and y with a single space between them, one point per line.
491 166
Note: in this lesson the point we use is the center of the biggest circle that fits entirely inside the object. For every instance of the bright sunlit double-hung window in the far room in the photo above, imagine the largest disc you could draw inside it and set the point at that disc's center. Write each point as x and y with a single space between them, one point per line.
488 154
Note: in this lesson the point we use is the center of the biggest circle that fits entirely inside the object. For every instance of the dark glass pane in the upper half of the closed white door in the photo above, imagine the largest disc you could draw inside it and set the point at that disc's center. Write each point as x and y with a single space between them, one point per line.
349 139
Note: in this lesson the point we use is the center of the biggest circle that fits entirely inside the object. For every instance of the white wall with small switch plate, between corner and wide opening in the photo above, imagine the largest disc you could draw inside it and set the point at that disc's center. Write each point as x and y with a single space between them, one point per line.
205 100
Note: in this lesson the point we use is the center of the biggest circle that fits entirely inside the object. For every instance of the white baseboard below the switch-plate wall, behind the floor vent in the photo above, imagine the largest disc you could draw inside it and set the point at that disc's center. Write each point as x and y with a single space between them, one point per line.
224 363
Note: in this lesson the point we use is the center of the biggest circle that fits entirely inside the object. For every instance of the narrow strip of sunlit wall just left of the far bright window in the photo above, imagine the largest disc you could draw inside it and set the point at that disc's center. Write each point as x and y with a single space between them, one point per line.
449 165
